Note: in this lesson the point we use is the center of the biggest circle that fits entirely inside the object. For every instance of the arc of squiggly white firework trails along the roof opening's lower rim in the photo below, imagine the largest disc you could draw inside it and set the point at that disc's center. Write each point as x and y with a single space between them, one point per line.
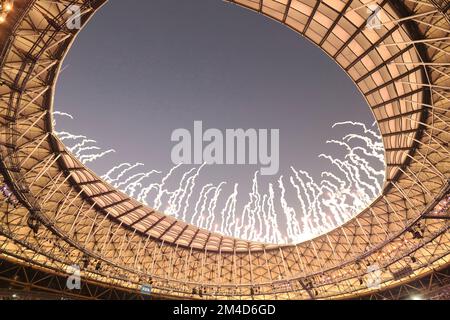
277 212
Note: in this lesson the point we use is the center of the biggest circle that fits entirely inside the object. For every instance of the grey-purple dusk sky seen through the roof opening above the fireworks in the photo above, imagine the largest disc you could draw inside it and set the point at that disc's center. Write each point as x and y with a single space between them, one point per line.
142 69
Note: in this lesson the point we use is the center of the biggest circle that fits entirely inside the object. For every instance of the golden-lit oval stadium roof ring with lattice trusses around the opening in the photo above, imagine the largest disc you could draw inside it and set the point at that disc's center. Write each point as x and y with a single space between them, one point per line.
57 213
